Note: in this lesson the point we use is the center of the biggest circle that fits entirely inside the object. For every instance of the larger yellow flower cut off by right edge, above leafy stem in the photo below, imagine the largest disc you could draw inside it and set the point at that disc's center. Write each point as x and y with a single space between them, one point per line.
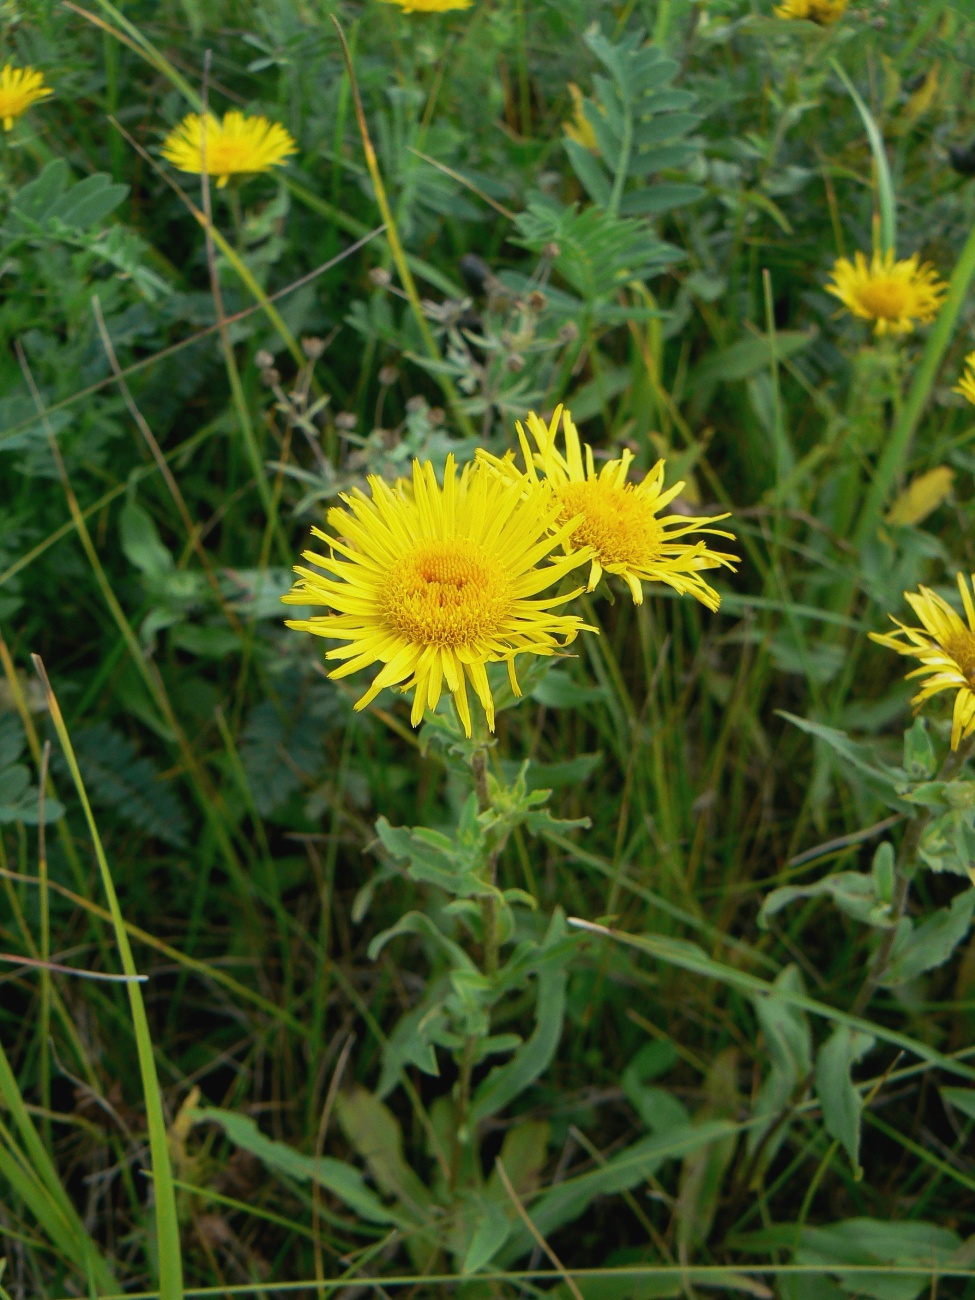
946 648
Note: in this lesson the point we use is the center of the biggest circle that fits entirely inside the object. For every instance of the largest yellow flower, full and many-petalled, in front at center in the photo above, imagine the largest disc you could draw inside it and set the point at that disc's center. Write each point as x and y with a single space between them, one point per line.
436 583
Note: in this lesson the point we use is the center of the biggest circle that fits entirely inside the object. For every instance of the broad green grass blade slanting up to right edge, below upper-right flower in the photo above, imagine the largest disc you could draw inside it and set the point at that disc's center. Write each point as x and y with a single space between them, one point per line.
895 454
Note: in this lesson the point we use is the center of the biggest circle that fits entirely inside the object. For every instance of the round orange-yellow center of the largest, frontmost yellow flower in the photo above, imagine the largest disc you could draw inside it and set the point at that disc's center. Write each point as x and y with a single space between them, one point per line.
447 595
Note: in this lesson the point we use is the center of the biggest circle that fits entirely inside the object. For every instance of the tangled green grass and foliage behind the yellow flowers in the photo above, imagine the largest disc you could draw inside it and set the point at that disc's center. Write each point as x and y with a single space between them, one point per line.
205 398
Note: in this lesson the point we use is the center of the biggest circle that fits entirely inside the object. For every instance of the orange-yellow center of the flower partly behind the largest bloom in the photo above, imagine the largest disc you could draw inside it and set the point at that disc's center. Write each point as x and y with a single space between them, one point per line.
617 522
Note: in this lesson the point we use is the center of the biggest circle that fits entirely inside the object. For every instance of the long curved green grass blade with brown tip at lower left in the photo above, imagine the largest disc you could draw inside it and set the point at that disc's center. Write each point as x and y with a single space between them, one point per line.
171 1271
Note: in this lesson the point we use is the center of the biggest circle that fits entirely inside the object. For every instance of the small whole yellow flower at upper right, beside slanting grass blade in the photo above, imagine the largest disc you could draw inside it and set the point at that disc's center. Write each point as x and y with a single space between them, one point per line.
894 294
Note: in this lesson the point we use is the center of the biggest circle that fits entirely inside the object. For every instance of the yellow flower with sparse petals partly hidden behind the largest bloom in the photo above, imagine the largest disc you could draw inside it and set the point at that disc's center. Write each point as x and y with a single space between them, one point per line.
614 521
